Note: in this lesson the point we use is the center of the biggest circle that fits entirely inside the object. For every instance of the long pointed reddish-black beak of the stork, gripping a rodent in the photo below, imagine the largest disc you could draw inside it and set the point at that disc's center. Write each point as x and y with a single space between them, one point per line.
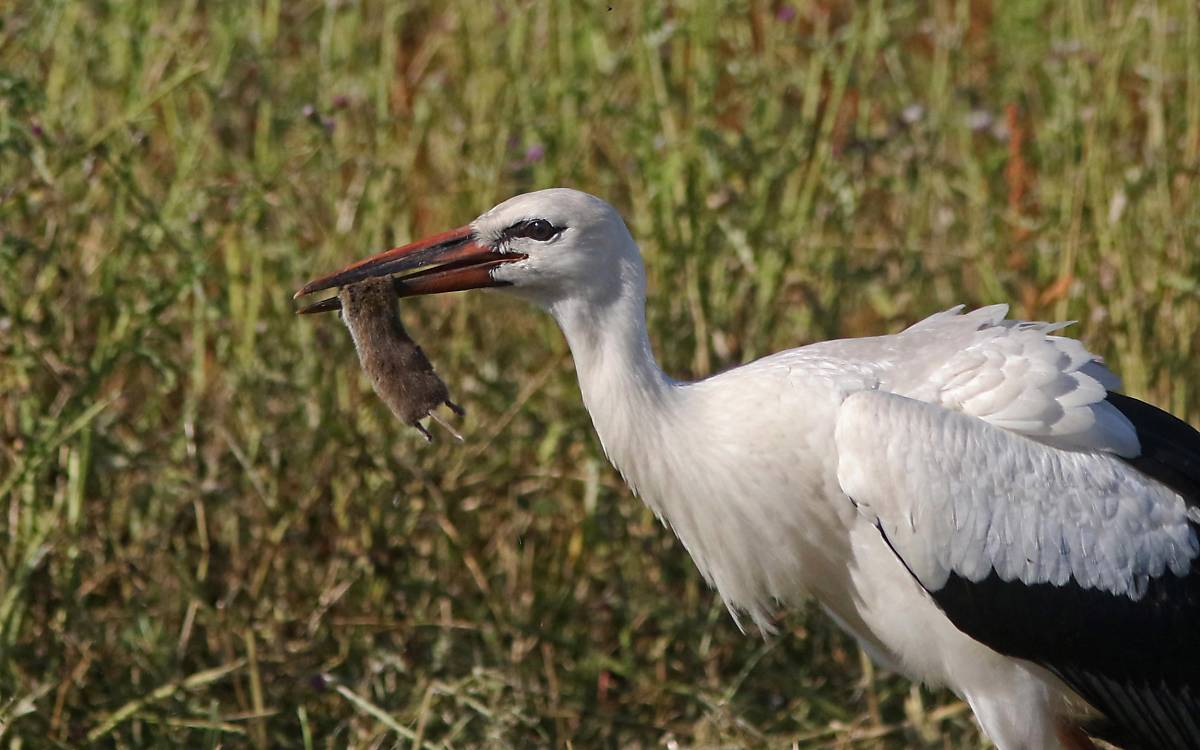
451 262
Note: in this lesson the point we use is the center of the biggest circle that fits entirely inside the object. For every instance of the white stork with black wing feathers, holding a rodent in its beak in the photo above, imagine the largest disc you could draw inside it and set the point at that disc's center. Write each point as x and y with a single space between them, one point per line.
970 499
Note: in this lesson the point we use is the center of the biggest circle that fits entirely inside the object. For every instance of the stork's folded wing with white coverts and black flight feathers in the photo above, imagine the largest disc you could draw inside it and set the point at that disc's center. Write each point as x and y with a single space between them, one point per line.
1081 561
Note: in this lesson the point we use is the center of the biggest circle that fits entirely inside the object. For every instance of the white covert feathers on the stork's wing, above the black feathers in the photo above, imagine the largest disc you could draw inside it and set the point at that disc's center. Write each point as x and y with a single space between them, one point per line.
955 495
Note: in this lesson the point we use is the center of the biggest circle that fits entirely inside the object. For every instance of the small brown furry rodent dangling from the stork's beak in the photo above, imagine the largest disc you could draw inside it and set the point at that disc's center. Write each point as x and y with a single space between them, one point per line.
400 373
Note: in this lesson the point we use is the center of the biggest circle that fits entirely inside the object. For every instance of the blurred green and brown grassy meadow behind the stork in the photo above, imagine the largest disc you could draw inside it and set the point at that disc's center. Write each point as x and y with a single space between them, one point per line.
213 535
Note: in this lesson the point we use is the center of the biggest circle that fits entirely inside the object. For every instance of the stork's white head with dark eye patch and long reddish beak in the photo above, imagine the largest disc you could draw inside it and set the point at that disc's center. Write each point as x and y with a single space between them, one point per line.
548 247
